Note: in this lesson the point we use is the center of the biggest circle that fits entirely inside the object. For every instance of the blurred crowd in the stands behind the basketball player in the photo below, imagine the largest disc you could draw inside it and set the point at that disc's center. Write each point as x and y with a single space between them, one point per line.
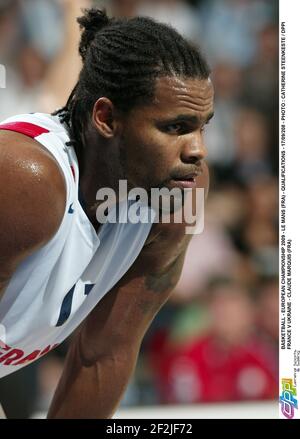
216 340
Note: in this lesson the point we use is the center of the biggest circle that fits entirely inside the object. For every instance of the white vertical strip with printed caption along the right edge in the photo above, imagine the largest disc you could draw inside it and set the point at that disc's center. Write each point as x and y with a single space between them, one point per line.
290 101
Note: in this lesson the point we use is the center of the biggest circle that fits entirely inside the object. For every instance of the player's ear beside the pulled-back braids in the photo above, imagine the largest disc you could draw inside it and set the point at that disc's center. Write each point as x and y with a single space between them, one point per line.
104 117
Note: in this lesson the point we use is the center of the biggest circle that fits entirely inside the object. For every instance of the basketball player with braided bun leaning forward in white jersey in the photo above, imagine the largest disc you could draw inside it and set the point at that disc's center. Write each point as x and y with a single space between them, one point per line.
137 113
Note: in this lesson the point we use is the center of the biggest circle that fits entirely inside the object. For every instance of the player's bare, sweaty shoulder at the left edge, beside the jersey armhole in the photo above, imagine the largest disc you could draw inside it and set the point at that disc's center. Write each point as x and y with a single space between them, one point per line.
32 196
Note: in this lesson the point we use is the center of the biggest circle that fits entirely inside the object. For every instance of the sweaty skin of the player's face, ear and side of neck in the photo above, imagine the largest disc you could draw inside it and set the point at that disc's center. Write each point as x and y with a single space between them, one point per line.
150 145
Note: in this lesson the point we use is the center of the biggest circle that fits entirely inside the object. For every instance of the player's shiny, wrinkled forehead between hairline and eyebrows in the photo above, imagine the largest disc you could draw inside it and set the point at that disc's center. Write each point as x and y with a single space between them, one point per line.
173 94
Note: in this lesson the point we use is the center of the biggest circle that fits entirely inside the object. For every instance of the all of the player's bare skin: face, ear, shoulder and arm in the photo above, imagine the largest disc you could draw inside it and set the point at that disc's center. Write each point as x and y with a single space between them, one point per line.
151 146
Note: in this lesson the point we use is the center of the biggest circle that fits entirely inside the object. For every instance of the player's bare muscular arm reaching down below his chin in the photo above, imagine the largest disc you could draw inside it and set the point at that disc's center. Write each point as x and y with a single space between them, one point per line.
103 352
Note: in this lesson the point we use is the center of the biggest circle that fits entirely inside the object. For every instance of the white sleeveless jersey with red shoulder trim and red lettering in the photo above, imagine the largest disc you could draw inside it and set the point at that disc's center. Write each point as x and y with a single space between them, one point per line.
54 289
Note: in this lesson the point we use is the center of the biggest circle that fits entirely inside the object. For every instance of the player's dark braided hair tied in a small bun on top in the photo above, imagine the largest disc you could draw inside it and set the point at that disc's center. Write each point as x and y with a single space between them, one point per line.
121 60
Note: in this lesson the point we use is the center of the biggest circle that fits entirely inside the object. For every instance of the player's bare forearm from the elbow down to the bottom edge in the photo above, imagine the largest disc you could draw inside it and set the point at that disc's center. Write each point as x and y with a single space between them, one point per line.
92 389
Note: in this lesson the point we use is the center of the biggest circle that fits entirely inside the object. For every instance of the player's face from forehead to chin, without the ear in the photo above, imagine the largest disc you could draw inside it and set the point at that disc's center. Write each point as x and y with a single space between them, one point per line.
163 141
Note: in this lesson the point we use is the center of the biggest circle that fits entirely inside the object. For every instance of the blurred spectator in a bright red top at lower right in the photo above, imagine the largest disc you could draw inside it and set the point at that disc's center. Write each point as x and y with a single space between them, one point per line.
228 363
